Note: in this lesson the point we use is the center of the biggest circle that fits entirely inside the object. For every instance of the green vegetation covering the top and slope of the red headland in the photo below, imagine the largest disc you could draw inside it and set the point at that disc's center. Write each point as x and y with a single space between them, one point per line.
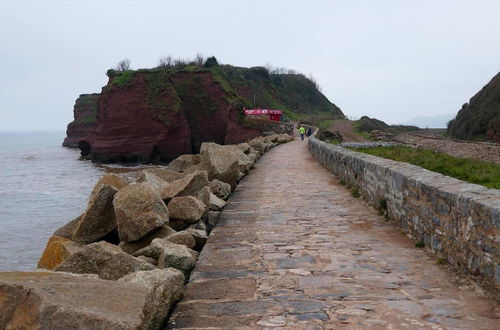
294 93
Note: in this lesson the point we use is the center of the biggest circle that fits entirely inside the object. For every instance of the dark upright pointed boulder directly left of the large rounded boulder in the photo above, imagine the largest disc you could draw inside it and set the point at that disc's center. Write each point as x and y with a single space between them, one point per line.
99 218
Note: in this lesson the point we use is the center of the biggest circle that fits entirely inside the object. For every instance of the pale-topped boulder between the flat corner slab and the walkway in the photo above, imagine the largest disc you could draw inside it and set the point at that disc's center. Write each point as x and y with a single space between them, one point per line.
164 287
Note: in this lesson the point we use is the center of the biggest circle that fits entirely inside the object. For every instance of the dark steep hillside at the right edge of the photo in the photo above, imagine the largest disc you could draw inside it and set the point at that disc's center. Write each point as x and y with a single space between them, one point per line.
480 118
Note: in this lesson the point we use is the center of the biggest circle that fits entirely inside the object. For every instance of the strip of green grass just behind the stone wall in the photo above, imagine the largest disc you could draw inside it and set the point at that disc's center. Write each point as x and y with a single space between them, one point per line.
466 169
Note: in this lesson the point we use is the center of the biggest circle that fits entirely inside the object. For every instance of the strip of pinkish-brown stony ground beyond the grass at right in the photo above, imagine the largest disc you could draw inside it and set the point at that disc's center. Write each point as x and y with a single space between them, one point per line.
483 151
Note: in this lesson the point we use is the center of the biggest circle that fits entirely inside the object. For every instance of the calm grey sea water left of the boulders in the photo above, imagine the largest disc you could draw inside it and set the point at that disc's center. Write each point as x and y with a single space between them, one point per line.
42 186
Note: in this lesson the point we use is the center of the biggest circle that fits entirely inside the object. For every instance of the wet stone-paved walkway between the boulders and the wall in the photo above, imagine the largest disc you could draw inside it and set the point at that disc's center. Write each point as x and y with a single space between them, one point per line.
294 249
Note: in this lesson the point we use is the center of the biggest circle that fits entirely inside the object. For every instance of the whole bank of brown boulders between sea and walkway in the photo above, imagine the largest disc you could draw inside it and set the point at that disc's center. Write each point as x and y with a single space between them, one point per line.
142 231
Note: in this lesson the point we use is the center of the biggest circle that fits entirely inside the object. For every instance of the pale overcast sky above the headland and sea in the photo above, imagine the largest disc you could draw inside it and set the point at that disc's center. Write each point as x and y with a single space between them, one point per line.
392 60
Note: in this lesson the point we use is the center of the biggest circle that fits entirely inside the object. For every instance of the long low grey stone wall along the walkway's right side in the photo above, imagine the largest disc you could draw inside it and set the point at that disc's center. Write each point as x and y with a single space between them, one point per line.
458 221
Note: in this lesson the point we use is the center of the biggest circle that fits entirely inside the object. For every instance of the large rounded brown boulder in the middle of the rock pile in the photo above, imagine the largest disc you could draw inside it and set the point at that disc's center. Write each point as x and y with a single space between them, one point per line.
139 210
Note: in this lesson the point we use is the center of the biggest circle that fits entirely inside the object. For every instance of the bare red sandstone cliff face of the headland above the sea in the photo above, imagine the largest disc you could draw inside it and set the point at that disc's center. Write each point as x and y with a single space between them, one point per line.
155 116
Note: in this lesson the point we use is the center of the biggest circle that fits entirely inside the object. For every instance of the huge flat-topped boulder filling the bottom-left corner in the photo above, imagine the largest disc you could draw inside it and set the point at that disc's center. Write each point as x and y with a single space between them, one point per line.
60 301
